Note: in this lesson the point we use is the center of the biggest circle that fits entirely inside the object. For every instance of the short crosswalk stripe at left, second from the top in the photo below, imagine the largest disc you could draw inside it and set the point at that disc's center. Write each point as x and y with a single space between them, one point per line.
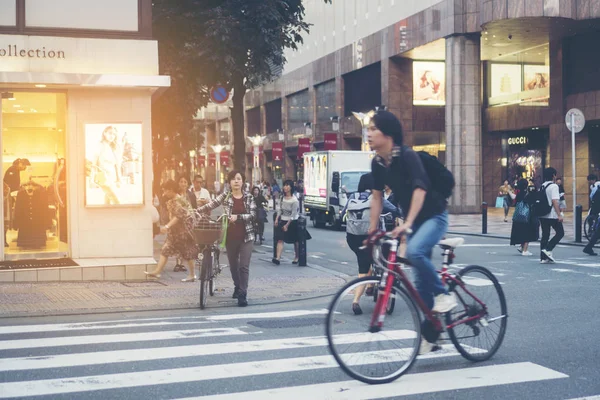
118 338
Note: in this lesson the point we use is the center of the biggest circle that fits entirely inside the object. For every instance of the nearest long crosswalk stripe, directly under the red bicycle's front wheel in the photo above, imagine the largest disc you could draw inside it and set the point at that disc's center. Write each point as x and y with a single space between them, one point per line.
410 384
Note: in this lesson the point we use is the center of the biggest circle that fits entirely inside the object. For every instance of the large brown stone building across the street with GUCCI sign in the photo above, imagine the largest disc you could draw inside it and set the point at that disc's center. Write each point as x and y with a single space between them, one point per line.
483 85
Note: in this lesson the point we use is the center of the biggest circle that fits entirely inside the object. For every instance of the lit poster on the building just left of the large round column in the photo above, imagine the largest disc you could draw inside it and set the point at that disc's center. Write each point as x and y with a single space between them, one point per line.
429 83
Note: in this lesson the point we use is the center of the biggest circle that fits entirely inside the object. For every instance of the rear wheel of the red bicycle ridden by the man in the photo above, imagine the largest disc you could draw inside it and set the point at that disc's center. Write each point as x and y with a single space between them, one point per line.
479 339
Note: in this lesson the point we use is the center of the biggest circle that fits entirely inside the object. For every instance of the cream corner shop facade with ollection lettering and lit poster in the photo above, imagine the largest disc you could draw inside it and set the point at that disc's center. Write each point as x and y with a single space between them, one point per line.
77 80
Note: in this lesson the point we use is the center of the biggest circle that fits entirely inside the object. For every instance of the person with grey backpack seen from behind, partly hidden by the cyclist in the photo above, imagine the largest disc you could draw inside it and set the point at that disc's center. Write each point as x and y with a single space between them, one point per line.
357 214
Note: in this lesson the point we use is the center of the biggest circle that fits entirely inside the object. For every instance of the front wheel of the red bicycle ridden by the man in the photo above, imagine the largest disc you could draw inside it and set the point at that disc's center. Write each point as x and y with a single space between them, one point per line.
379 357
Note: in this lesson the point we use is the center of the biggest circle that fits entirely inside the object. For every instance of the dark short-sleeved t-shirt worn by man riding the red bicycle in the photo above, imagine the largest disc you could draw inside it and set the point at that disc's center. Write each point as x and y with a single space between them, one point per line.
405 174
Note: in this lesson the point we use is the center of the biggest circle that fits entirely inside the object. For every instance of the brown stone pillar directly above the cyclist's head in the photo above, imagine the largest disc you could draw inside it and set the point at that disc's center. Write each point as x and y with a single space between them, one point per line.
397 92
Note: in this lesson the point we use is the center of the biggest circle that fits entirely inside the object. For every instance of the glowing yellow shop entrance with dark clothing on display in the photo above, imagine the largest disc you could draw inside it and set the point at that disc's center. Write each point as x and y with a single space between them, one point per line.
34 200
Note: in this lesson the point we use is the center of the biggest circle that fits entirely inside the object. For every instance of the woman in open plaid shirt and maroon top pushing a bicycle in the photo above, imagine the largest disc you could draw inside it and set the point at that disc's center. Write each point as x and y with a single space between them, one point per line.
240 208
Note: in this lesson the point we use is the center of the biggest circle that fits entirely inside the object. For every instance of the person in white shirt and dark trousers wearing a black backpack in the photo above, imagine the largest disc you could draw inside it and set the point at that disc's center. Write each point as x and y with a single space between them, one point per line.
553 219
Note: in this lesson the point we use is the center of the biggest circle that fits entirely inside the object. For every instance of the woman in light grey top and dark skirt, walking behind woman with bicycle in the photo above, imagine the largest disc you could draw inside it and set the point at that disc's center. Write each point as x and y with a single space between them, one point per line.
286 223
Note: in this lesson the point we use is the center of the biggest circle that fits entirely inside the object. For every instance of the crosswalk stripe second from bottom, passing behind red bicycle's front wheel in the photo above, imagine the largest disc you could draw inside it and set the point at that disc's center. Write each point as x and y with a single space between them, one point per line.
47 387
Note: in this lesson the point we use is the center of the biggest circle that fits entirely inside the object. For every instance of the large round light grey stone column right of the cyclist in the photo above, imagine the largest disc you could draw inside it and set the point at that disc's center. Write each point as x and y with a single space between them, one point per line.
463 121
